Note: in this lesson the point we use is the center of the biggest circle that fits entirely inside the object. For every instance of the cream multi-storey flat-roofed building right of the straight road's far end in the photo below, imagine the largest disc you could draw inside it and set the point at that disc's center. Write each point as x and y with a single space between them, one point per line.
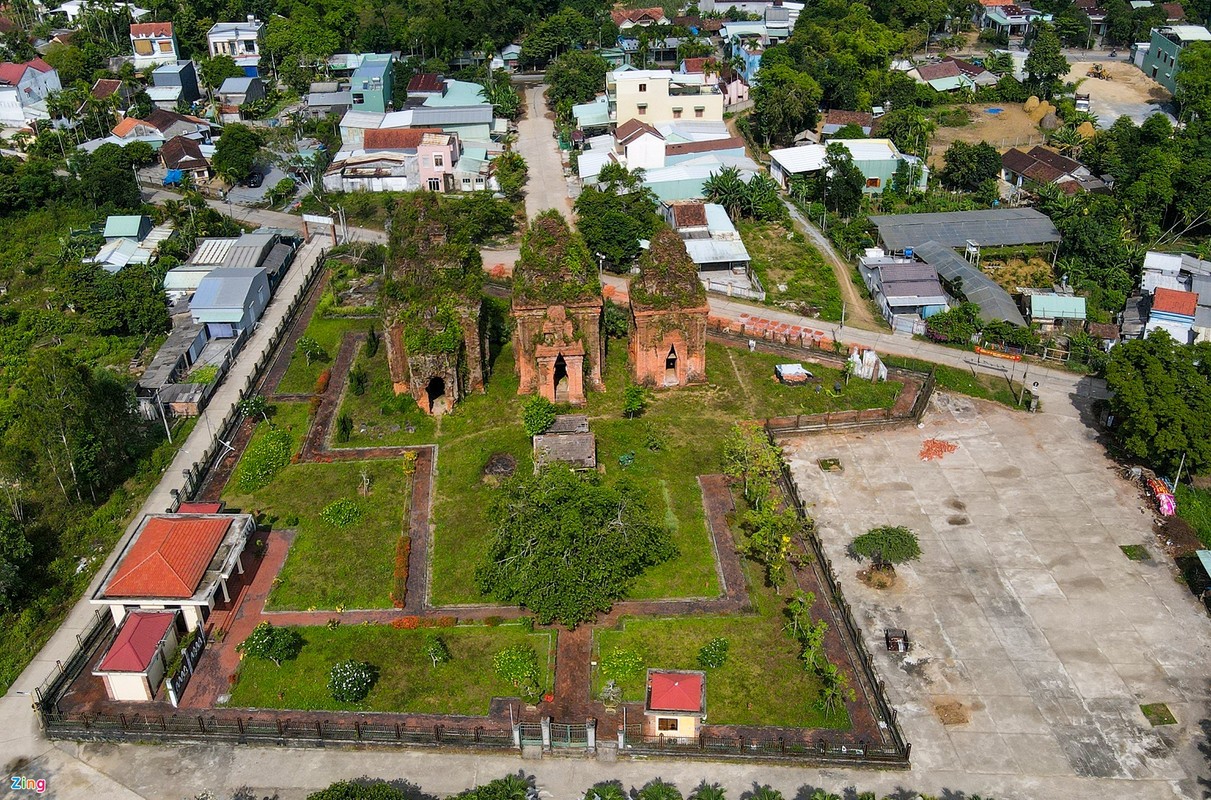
661 95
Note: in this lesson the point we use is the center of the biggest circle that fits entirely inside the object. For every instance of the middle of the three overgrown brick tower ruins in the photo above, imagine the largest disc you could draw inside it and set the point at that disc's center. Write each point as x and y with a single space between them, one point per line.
558 307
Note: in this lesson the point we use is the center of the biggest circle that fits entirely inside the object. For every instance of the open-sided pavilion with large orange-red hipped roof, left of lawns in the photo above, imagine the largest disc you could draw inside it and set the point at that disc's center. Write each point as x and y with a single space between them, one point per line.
177 562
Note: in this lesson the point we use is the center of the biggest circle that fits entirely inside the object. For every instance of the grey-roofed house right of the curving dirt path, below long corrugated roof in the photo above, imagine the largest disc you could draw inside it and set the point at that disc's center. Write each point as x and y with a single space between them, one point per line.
908 291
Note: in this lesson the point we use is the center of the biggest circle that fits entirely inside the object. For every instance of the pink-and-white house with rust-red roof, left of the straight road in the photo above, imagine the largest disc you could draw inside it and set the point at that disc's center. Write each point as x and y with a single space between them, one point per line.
398 160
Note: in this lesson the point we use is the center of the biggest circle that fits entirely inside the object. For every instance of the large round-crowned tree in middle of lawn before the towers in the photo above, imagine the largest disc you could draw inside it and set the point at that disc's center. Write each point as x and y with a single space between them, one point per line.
567 546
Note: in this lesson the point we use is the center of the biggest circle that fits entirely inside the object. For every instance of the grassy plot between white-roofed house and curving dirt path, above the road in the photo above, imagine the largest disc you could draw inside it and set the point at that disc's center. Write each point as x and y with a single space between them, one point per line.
782 256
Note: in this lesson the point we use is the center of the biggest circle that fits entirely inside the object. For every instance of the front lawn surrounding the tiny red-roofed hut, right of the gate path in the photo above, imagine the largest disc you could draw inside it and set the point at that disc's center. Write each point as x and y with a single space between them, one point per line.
762 683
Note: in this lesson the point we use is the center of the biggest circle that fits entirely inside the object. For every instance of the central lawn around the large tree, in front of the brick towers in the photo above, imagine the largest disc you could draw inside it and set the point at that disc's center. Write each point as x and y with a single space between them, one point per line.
688 423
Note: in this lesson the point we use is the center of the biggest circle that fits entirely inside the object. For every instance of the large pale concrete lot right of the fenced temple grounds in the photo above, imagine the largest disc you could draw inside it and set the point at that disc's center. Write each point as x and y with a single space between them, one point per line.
1035 640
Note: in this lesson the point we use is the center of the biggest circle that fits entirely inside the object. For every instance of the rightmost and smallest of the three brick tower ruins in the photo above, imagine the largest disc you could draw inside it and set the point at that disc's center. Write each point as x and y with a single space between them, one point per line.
669 314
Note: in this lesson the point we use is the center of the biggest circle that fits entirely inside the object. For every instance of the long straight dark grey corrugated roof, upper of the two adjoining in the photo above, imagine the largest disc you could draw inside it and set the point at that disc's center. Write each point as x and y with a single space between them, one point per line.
988 228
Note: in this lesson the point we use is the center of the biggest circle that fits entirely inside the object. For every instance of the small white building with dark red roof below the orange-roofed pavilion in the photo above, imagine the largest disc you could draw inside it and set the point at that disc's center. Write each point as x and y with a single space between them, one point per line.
135 665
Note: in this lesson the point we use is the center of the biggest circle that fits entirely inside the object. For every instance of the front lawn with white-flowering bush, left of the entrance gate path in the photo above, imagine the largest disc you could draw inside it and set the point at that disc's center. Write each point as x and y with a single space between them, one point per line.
408 680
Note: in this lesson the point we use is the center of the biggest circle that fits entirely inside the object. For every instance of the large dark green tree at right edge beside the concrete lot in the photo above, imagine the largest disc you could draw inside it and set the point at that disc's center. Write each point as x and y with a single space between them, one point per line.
1162 401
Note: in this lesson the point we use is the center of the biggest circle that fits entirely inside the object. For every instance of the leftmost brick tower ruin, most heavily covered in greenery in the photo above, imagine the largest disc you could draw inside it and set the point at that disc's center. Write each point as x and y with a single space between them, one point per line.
433 302
